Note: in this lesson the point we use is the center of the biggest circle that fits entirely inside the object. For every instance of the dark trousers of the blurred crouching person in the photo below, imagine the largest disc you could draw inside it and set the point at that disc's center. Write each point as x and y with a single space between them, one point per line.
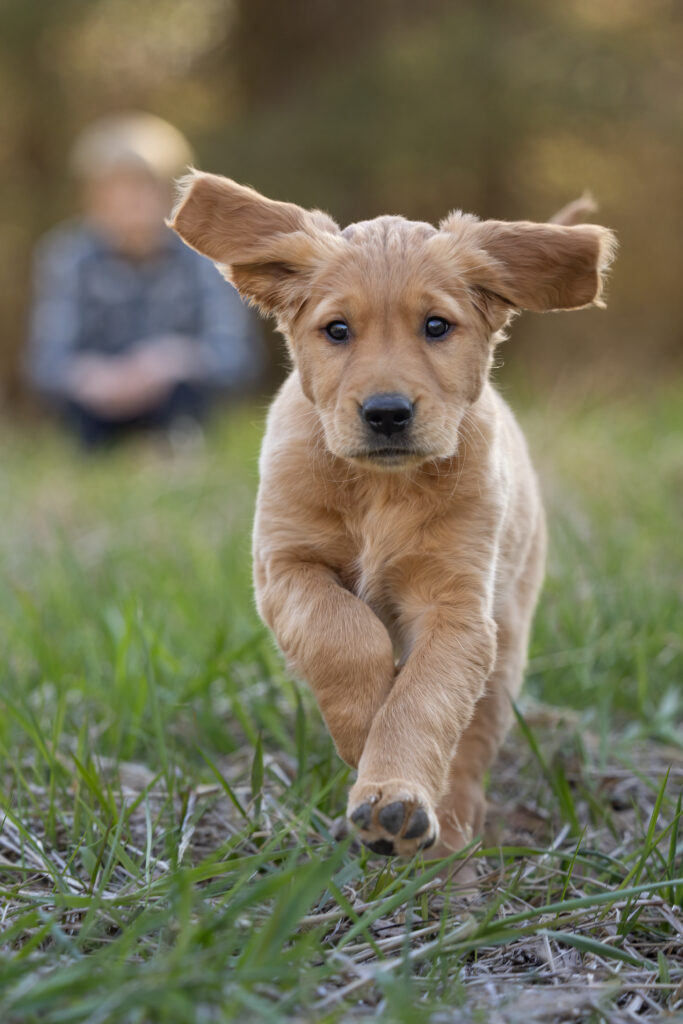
186 401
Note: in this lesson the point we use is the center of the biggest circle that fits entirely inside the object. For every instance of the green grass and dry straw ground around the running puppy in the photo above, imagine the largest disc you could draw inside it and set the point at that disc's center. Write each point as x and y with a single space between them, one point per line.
170 797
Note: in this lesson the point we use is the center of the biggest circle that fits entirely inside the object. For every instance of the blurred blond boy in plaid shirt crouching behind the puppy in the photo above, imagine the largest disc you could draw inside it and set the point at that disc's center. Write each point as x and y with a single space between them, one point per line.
132 329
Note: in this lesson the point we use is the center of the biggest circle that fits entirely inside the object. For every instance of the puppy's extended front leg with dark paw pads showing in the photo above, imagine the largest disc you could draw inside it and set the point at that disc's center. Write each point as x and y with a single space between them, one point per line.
403 774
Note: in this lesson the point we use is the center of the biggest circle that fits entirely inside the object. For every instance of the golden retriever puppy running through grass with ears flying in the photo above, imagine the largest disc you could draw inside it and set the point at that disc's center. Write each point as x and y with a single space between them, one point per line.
400 538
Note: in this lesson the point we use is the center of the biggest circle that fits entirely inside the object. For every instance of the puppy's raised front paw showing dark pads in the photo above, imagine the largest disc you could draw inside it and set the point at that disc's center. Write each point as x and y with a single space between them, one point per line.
393 818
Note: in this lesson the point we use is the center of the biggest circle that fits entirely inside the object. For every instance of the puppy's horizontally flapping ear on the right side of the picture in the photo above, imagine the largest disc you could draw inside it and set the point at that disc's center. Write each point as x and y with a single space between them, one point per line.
537 267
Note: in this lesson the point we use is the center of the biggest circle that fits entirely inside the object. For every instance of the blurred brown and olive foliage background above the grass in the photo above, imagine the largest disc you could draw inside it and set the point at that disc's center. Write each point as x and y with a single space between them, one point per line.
504 109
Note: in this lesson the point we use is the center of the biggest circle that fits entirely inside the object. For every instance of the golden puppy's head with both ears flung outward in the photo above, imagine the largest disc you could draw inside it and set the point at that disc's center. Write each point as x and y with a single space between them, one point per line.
392 323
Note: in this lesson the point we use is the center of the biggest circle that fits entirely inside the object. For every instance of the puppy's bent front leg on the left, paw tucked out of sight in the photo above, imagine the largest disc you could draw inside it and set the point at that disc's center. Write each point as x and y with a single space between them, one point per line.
334 642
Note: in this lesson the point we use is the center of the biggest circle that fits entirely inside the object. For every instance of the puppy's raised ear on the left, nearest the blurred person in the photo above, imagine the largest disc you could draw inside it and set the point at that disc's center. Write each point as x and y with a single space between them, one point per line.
264 247
